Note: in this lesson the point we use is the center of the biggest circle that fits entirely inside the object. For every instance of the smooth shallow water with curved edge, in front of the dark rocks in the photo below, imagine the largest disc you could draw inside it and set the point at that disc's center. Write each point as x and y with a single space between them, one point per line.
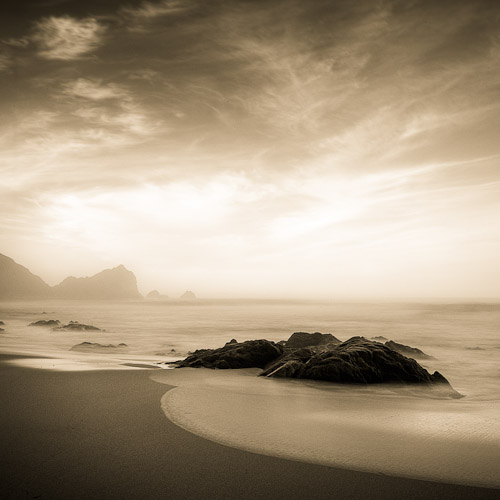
385 430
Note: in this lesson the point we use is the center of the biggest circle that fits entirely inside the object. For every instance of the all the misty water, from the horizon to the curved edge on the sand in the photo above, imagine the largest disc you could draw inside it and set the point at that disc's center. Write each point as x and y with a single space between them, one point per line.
368 428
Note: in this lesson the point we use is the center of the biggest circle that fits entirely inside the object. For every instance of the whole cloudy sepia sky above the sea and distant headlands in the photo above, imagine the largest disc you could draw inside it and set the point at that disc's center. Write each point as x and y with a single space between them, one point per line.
237 148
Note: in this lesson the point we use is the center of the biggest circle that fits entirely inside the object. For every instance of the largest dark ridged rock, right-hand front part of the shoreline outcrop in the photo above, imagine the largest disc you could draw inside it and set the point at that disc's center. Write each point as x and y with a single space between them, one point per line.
356 361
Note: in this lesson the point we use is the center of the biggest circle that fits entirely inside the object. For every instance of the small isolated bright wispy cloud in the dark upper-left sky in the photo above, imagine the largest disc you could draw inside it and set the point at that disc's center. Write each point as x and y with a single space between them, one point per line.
67 38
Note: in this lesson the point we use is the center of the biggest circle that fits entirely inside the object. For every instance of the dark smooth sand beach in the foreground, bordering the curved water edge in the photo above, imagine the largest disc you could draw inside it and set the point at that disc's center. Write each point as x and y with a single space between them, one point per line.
103 435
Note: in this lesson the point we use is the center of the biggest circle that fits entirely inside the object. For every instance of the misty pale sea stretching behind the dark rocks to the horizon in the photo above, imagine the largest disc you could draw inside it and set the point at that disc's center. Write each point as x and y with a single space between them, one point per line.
464 339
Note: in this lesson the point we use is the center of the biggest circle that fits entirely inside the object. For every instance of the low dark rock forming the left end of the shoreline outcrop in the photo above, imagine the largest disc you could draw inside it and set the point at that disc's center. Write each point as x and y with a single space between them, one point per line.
249 354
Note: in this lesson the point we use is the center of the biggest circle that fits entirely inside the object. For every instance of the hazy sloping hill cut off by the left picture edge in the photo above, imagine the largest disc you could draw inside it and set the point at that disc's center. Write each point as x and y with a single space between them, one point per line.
17 282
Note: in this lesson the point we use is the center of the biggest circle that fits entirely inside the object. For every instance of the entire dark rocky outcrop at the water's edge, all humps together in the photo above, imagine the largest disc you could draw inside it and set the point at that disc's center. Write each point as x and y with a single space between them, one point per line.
355 361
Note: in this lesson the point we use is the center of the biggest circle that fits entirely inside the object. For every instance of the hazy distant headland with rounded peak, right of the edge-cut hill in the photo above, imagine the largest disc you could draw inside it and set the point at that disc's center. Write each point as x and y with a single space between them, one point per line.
116 283
